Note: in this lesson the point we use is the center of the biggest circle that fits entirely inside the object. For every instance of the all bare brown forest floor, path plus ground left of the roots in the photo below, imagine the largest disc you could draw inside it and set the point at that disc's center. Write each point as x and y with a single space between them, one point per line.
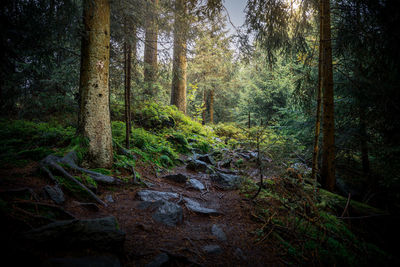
146 238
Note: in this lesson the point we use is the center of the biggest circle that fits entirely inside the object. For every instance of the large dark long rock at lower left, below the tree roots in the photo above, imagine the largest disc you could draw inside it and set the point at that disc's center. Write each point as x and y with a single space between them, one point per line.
100 233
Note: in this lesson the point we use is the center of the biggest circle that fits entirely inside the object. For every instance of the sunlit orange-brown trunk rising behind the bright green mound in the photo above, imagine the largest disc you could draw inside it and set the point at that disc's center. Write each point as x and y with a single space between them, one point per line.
178 91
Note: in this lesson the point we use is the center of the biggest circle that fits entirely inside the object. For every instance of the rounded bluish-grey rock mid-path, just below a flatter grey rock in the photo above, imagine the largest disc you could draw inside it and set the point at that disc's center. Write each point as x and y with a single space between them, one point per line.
169 214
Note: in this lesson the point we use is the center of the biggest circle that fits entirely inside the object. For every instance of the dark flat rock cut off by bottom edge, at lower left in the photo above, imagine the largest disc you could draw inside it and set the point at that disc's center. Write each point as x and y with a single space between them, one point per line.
98 261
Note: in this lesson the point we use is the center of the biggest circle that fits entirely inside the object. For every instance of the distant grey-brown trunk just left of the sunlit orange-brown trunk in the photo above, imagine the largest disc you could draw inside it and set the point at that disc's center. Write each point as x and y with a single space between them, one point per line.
150 49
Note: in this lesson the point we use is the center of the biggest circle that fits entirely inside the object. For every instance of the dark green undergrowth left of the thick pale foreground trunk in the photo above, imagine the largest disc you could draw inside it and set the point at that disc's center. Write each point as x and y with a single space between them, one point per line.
29 140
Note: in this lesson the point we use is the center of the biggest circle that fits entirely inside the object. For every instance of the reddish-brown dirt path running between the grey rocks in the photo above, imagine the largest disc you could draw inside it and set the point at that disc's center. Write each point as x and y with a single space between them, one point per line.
146 238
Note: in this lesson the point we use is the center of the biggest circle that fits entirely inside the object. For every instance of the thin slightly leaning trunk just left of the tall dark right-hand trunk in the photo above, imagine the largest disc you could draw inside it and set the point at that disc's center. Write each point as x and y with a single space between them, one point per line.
319 101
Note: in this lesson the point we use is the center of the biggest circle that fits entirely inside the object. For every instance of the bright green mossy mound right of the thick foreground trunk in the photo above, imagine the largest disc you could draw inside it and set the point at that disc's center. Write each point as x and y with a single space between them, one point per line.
160 133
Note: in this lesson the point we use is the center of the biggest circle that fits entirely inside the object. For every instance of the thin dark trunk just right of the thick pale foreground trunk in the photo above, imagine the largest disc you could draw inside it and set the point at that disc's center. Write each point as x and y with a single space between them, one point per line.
128 64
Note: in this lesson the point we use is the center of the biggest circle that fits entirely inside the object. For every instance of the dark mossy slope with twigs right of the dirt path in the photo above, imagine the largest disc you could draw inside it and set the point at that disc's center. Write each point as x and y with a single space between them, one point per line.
307 233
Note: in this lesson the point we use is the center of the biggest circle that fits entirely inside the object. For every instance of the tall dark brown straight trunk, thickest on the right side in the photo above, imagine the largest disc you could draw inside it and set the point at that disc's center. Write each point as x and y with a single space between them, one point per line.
328 145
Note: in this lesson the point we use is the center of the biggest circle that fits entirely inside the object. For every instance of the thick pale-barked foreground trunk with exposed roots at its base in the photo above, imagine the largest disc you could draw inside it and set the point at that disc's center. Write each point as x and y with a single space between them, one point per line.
94 117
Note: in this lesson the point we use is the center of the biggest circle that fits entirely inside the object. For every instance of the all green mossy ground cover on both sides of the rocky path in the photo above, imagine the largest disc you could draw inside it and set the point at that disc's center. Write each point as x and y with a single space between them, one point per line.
300 223
